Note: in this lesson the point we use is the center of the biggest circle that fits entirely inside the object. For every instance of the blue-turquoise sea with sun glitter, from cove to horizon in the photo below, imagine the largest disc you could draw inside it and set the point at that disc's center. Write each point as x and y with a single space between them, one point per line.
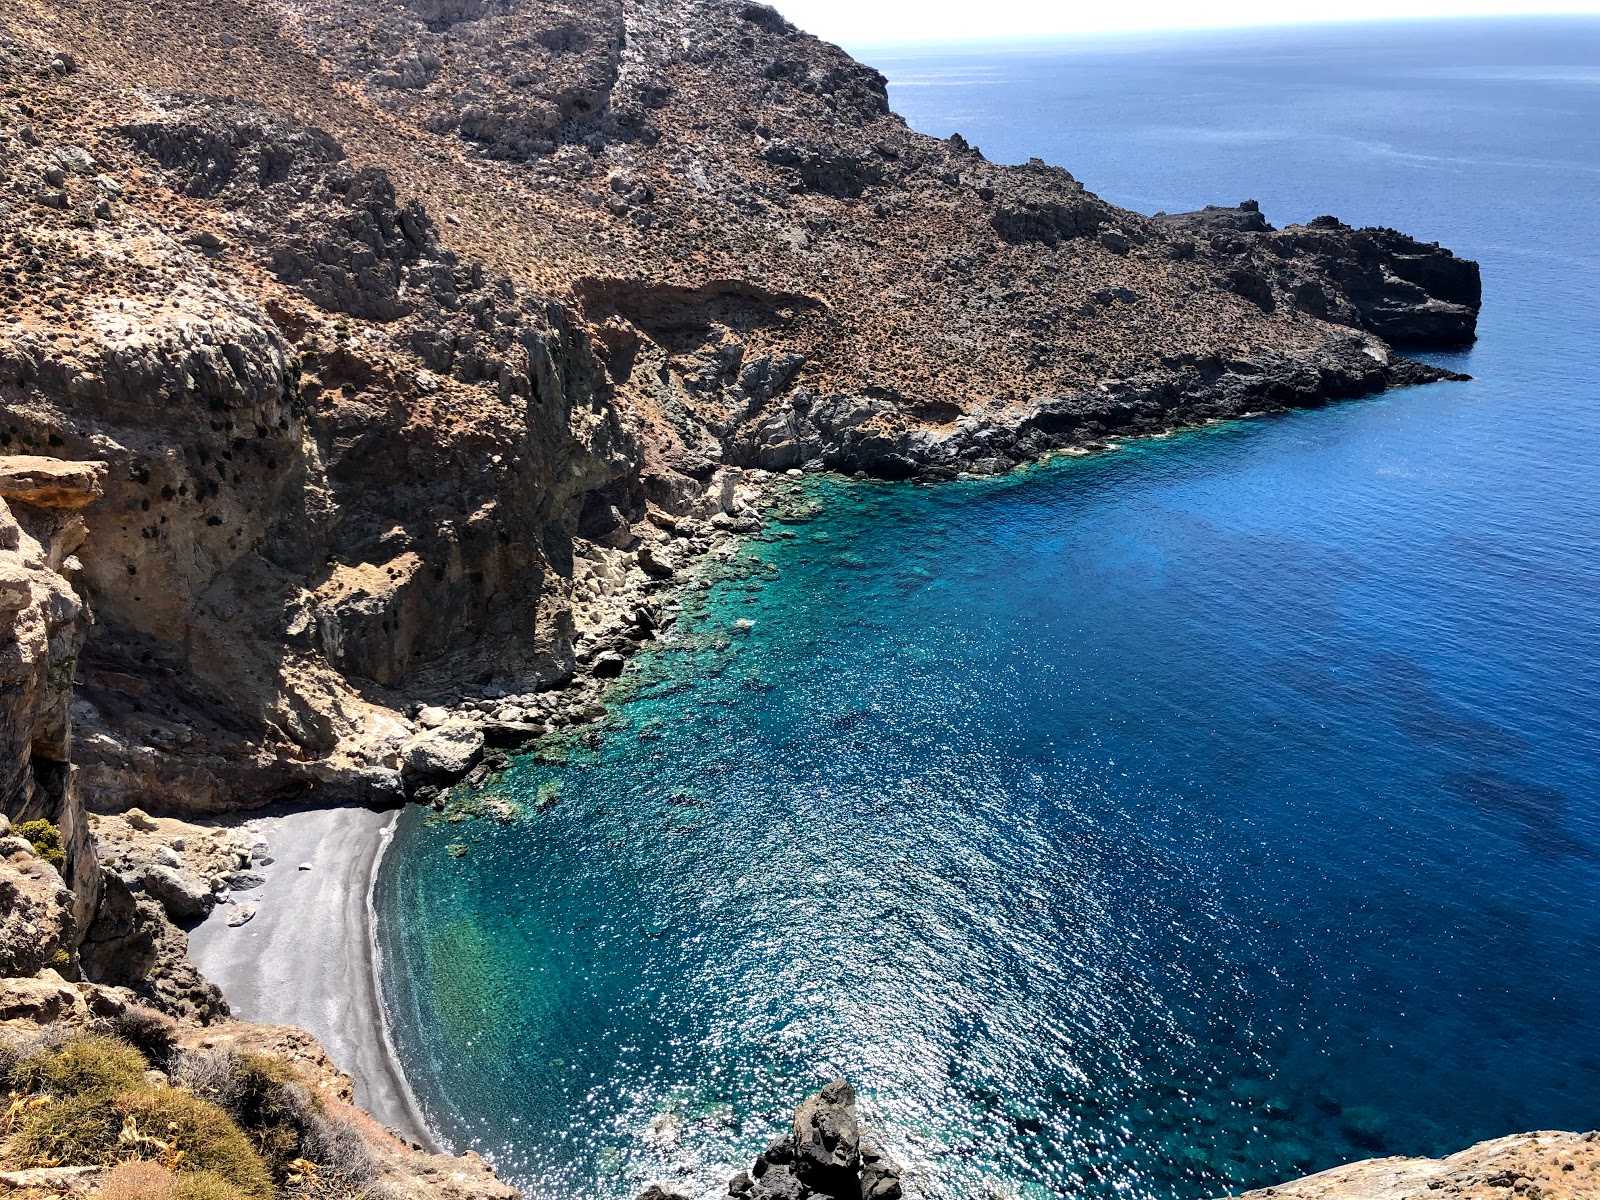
1135 826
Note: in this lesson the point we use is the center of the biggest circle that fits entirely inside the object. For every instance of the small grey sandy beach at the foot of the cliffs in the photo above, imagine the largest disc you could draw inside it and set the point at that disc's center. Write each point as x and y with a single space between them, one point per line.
310 956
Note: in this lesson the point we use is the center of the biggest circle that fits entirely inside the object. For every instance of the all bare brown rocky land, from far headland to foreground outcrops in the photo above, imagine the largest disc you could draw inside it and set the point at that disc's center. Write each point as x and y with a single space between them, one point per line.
370 375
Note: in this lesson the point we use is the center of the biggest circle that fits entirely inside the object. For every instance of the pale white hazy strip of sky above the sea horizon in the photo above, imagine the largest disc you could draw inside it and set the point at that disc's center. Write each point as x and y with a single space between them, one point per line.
876 22
